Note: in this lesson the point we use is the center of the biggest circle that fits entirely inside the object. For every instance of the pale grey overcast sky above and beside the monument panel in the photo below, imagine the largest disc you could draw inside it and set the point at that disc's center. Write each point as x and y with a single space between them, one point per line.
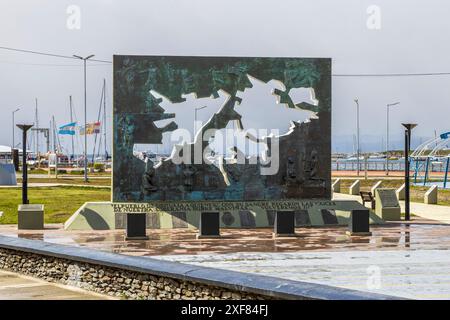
412 38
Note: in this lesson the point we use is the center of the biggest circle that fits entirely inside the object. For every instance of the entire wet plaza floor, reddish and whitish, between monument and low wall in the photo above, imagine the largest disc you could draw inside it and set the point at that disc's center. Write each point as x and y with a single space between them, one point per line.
406 260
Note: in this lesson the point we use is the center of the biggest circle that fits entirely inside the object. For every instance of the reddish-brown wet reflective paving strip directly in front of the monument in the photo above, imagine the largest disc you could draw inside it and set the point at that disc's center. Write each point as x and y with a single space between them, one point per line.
421 234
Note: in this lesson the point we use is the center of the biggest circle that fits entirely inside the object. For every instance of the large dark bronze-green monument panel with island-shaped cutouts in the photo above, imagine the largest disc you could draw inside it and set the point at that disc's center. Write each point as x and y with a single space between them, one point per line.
245 145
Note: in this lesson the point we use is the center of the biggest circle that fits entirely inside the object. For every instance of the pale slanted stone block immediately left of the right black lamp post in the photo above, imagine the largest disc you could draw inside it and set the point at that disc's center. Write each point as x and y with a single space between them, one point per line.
387 205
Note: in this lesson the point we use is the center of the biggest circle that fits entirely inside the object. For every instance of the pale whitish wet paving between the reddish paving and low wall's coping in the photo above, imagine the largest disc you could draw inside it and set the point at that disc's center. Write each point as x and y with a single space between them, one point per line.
423 274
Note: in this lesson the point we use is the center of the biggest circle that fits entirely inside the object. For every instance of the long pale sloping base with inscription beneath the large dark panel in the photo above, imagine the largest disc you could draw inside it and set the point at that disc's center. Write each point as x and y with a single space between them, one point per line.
232 215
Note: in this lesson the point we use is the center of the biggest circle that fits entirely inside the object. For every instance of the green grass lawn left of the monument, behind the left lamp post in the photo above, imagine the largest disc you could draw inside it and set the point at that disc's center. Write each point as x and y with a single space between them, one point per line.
59 202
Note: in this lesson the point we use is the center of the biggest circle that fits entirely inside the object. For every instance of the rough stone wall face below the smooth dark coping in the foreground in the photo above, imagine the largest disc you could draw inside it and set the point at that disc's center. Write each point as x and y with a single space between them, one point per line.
112 281
